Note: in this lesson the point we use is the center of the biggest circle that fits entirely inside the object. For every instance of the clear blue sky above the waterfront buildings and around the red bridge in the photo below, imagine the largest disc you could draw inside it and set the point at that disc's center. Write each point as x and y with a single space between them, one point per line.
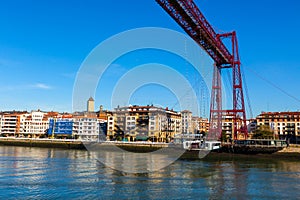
43 43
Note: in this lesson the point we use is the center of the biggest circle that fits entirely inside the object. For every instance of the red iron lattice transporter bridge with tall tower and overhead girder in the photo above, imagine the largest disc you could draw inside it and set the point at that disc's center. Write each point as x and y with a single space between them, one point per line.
189 17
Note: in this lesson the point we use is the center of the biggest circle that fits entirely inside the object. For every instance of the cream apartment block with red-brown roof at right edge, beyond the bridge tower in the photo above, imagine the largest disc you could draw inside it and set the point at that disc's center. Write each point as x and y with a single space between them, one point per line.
286 125
